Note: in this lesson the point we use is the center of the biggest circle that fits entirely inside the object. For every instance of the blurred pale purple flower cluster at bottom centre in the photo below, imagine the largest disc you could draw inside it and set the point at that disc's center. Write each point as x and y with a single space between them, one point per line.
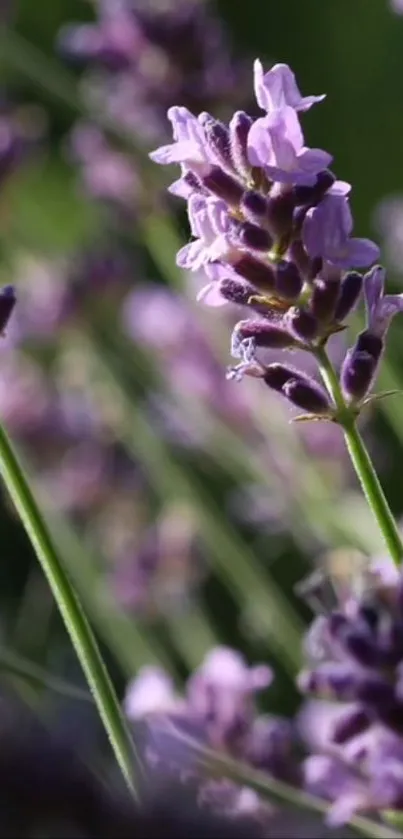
217 710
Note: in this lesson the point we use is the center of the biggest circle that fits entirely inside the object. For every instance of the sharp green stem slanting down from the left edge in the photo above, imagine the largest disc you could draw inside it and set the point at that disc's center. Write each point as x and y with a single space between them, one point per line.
70 609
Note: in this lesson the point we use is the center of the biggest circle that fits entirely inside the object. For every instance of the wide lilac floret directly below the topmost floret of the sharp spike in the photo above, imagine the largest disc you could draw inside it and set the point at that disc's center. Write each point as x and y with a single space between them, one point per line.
276 144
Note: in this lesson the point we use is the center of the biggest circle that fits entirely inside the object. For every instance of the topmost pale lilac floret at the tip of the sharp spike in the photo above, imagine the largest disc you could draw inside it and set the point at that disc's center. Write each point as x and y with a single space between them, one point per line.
278 88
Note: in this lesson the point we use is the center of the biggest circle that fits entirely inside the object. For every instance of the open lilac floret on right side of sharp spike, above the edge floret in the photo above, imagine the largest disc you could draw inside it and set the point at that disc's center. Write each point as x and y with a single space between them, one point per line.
326 233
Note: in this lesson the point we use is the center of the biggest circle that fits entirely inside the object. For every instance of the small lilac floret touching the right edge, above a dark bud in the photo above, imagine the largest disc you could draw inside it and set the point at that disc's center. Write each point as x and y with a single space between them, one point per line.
381 308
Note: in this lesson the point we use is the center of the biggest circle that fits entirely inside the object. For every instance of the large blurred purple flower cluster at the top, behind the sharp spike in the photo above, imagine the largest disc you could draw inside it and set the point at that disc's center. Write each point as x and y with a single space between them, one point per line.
145 55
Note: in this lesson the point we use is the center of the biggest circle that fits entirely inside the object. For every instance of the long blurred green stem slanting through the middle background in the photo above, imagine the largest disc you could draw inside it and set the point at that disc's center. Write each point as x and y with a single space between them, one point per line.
231 559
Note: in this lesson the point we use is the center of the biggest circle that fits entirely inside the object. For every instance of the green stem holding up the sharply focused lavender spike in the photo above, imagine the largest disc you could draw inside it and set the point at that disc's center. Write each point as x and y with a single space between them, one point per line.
362 462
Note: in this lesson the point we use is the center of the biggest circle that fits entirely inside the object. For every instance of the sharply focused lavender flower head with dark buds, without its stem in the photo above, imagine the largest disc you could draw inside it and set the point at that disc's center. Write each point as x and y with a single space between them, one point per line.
272 231
